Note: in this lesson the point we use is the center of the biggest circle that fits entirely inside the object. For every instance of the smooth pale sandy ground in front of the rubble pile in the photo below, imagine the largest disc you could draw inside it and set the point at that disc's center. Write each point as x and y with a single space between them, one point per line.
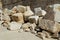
14 35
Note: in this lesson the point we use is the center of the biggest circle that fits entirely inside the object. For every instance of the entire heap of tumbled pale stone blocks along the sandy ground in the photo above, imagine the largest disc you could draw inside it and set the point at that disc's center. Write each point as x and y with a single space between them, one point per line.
24 19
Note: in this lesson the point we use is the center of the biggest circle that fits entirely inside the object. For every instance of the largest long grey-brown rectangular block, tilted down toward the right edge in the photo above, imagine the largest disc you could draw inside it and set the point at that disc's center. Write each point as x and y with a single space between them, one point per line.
48 25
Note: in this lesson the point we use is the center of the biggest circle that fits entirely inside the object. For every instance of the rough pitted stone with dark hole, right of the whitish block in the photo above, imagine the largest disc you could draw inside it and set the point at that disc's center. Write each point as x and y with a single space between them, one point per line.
29 27
